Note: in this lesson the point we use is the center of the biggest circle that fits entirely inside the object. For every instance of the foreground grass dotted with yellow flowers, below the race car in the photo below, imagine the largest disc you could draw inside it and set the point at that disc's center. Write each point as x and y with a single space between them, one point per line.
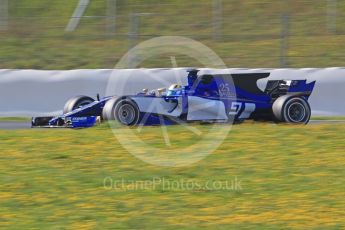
291 177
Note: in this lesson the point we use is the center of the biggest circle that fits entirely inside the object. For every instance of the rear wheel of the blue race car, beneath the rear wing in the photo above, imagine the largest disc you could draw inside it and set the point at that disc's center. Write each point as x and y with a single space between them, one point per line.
291 109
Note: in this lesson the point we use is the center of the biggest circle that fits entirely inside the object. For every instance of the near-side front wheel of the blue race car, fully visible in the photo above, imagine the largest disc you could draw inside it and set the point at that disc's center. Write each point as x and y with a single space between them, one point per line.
125 111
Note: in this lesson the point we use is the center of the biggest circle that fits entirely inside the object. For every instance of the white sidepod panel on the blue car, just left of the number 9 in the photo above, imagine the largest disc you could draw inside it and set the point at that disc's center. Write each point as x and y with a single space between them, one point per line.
205 109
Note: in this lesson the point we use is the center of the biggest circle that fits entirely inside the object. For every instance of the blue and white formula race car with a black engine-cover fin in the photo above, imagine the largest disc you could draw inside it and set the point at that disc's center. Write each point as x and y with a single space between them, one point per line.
210 98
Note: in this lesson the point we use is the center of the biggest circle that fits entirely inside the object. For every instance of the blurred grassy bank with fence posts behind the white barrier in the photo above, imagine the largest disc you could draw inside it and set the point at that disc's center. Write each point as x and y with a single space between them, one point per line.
70 34
